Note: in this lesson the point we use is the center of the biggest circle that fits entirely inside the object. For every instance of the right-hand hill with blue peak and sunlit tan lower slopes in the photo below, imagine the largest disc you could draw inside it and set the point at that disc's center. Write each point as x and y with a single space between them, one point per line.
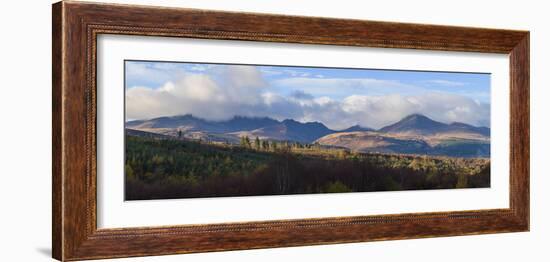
417 134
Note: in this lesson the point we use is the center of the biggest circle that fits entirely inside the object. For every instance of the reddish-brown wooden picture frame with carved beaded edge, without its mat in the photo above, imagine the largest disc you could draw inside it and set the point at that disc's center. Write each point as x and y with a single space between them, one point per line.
76 26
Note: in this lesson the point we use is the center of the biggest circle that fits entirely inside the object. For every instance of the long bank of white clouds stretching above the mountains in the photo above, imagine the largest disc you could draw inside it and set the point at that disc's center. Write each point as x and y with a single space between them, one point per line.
241 90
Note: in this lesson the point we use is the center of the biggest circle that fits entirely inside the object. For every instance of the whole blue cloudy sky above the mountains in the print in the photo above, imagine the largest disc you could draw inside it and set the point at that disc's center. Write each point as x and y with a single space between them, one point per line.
336 97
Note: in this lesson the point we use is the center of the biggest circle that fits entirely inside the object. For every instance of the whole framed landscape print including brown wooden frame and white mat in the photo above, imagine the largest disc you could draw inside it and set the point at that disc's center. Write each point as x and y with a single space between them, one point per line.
181 130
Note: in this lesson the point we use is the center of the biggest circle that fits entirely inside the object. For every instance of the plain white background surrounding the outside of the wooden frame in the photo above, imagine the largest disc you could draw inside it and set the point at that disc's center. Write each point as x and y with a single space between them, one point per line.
25 144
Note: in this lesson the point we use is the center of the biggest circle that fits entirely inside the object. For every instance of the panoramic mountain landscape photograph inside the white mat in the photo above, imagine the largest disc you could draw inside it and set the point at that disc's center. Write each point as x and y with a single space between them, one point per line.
197 130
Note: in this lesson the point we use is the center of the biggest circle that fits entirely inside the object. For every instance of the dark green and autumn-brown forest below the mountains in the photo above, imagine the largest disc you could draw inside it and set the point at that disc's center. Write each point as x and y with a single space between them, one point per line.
161 168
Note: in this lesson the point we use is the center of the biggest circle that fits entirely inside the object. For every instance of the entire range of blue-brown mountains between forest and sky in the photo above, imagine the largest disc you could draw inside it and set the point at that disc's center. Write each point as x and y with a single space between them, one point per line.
414 134
